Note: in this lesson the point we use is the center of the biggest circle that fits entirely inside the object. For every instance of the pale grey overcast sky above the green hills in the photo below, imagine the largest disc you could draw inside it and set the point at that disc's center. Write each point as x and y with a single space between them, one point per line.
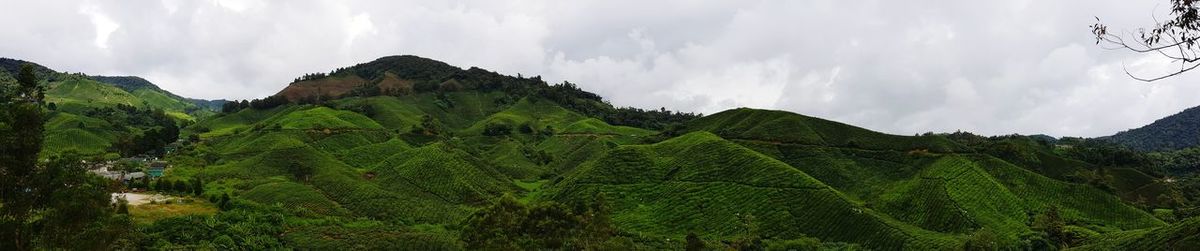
992 68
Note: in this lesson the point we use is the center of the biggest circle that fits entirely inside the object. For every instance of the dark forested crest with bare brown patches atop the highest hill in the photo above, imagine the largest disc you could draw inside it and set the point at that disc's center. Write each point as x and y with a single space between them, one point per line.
410 75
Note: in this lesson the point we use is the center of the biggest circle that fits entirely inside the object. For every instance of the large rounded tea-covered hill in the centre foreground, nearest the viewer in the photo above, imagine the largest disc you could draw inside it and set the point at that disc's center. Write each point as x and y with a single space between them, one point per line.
701 183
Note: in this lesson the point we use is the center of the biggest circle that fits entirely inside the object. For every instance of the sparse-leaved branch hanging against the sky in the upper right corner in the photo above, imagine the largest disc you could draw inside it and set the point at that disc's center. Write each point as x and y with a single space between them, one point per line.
1174 39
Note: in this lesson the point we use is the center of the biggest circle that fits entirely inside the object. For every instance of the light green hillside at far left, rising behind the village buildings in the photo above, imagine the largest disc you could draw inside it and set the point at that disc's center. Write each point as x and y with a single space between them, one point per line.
87 111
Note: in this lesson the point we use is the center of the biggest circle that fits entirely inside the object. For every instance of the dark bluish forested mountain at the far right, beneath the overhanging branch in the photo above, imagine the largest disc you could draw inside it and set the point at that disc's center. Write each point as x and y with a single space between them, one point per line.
1173 133
